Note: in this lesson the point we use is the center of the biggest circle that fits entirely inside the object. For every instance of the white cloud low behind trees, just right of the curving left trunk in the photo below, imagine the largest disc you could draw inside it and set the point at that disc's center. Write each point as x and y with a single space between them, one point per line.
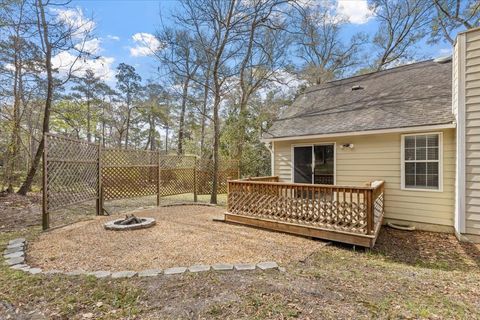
102 66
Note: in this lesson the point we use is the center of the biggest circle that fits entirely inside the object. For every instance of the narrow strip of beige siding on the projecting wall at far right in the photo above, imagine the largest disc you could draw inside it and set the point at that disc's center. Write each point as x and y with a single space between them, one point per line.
472 130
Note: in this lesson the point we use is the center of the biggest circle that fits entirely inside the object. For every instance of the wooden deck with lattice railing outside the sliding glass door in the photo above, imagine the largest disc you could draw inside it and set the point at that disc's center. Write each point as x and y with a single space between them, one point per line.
349 214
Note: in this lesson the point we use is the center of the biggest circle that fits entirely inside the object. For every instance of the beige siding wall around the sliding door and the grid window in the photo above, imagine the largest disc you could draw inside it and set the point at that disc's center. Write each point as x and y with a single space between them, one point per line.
377 157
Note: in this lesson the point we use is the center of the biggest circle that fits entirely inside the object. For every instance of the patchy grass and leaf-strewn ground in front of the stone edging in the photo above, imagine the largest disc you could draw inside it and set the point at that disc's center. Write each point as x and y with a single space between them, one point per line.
408 275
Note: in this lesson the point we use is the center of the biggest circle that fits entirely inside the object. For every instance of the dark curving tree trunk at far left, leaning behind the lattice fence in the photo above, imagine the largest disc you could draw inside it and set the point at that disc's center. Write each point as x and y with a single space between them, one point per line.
27 184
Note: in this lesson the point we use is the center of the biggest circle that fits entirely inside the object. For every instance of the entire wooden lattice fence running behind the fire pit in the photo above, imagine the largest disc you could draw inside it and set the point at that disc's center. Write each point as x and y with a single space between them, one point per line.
76 171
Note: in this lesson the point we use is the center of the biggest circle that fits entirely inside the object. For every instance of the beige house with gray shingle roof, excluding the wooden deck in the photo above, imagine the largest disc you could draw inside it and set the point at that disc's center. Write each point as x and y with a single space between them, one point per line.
416 127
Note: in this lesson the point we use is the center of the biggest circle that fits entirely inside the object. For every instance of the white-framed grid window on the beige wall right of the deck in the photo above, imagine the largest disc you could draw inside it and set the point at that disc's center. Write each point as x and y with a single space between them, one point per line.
421 162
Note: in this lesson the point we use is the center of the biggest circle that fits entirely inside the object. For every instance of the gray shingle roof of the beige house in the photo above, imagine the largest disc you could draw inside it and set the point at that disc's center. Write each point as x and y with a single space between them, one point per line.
412 95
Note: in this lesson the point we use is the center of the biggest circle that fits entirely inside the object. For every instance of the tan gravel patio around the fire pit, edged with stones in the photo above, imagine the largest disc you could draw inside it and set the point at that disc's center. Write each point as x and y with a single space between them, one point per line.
182 236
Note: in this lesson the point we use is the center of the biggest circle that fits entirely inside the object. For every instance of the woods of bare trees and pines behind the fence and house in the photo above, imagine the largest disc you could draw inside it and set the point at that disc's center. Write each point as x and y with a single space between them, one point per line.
226 70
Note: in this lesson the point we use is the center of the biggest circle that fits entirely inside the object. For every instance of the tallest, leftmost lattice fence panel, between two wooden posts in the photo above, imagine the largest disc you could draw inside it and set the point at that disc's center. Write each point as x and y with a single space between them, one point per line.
71 173
